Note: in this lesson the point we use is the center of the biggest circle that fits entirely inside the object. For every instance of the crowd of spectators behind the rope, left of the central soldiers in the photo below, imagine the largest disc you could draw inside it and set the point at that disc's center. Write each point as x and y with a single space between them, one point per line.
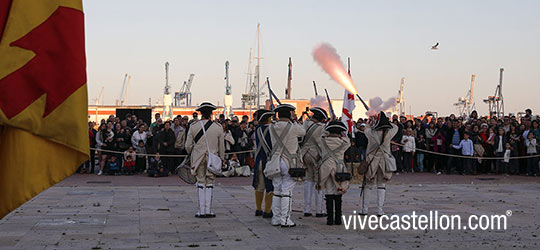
123 144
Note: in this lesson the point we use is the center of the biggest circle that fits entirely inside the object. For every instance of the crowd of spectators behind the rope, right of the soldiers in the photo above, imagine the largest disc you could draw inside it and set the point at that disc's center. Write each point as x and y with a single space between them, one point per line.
467 137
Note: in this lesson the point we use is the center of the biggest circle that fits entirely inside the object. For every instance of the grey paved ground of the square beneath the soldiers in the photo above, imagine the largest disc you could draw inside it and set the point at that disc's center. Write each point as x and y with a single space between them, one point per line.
131 212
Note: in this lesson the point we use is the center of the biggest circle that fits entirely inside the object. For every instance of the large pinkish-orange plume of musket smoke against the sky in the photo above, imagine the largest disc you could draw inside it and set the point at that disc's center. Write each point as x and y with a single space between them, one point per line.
326 56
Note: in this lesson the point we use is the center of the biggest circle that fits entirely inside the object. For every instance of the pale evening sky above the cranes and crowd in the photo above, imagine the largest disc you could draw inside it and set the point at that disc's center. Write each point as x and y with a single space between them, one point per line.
386 40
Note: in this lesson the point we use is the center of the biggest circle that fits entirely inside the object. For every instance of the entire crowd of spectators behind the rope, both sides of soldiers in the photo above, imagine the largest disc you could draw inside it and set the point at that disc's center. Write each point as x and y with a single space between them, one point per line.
447 137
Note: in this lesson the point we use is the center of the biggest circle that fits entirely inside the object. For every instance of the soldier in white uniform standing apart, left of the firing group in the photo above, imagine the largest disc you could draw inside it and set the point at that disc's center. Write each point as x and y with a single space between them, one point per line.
196 145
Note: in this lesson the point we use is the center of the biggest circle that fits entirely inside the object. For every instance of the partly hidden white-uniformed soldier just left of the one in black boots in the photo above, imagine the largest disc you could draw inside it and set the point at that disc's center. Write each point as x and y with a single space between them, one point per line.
310 155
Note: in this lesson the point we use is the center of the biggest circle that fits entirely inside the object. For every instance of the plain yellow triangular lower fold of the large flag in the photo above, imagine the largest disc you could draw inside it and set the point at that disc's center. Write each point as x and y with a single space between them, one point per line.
30 164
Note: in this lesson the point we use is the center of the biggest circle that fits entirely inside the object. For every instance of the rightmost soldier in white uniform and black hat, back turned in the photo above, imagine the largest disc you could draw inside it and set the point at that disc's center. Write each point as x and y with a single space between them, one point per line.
383 164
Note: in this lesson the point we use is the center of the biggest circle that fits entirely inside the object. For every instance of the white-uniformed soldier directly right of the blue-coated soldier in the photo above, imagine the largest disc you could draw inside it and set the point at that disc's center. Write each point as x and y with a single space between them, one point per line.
283 182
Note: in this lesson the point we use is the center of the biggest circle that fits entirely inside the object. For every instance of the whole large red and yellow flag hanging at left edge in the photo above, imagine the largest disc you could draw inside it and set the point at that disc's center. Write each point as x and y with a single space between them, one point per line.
43 96
